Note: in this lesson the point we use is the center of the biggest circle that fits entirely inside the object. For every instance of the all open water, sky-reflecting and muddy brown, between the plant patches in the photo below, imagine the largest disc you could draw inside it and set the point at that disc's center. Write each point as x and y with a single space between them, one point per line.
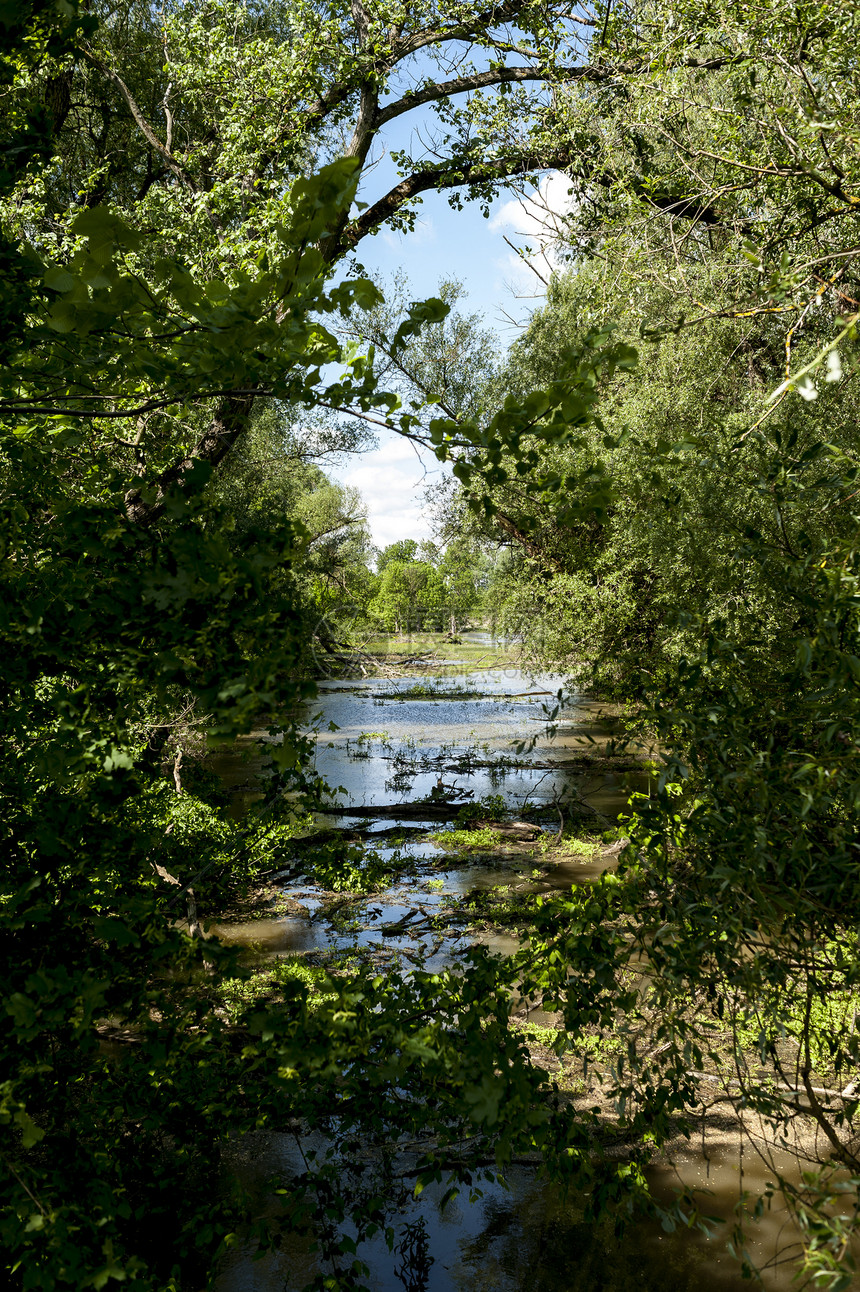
392 745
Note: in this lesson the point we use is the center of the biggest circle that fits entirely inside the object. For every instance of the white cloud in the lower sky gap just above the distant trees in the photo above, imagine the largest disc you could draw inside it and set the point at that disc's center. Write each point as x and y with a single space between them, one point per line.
392 481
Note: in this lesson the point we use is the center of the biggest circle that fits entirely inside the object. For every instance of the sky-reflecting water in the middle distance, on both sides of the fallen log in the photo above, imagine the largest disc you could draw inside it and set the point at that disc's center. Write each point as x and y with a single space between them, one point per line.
396 742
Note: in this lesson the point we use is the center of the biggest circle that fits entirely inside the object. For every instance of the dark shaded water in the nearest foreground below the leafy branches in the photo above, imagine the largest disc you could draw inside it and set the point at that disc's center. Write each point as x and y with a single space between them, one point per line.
527 1237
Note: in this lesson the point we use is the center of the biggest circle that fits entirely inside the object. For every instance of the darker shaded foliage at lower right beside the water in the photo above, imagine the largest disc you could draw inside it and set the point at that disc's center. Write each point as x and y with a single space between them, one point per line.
737 899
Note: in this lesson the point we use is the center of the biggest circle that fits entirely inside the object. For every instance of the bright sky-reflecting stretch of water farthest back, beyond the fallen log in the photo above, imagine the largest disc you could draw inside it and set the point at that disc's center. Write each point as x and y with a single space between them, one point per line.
475 720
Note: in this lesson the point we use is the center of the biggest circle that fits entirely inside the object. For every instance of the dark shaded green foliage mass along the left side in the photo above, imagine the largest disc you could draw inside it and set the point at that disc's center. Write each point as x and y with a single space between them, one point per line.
132 592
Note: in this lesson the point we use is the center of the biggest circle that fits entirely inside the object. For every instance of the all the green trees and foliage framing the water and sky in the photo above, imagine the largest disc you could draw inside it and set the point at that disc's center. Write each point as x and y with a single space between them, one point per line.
657 488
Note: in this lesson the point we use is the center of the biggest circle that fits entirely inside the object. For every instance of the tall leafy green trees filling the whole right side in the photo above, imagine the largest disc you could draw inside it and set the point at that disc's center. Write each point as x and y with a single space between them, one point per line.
715 587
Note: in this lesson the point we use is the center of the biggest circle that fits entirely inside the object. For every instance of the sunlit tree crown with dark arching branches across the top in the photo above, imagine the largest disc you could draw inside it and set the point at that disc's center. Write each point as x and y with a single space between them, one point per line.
212 157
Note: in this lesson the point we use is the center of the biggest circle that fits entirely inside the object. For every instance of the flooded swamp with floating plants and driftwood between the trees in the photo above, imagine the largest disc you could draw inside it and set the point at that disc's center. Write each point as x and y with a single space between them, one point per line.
451 821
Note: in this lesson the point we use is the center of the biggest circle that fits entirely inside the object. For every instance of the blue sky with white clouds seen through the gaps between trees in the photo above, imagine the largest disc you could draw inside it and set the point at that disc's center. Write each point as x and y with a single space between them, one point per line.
446 244
